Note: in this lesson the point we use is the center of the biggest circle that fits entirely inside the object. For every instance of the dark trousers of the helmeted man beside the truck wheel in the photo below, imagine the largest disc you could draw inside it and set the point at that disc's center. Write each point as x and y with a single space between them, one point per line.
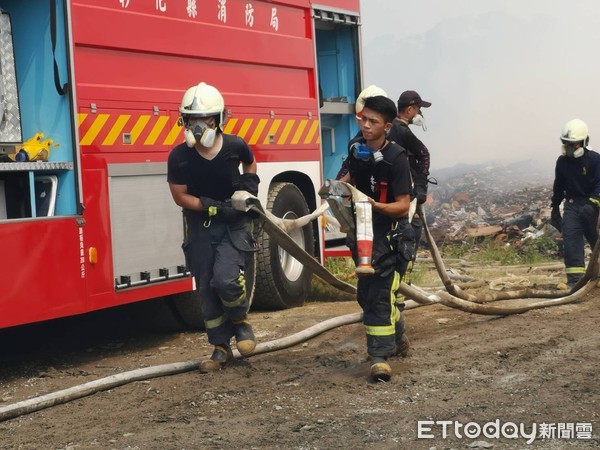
218 266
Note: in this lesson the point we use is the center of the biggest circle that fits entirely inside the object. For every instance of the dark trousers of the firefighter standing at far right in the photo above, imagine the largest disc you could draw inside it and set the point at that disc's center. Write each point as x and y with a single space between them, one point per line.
575 227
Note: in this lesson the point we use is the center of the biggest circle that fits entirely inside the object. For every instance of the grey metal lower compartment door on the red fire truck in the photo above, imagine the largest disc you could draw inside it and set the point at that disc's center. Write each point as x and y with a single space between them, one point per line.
147 226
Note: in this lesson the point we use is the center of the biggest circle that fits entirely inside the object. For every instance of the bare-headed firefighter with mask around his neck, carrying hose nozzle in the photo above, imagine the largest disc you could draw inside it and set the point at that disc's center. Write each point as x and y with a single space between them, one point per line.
380 169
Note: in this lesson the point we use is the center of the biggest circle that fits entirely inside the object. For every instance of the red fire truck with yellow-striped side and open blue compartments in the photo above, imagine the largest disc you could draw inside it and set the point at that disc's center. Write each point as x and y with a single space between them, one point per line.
92 225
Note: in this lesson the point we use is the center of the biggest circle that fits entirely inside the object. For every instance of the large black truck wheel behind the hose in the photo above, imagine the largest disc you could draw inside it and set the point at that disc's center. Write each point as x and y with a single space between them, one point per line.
283 282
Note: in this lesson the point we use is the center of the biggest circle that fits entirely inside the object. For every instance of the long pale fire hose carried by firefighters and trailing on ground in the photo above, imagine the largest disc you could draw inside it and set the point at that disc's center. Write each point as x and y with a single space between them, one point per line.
278 229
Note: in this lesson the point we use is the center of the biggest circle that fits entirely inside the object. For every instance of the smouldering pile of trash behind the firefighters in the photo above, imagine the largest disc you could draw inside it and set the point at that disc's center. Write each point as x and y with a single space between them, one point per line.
490 201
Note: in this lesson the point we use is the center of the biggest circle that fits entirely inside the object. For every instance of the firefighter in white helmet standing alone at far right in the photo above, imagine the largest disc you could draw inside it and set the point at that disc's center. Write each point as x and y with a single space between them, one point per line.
577 181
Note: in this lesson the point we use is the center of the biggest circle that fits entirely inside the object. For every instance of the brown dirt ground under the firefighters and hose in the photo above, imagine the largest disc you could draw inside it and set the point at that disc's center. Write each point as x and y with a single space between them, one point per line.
534 368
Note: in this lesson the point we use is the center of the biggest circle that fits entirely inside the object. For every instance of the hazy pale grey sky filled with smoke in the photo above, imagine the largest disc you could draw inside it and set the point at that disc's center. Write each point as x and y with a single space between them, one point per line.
503 76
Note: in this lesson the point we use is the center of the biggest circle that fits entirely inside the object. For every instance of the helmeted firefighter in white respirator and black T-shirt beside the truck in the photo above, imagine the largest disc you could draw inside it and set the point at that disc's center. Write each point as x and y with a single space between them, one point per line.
203 173
